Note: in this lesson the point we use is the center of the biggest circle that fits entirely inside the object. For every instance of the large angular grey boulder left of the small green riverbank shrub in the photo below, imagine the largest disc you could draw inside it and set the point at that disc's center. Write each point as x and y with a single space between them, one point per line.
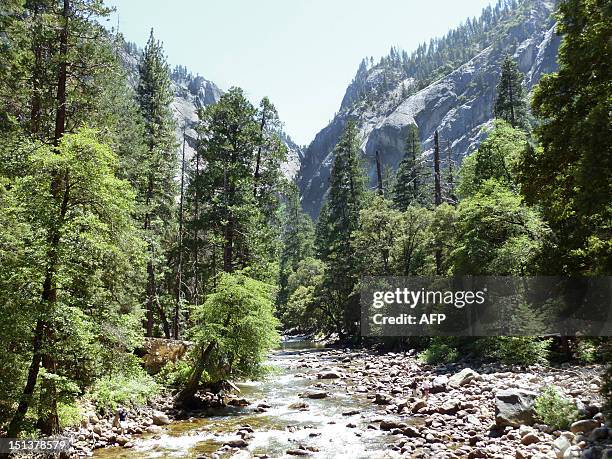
514 407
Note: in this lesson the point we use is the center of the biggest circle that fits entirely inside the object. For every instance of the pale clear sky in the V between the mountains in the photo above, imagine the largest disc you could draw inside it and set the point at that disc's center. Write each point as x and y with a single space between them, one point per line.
302 54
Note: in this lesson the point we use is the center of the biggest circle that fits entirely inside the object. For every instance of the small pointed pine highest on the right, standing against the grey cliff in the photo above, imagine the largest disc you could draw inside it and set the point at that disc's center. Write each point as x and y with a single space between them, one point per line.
510 104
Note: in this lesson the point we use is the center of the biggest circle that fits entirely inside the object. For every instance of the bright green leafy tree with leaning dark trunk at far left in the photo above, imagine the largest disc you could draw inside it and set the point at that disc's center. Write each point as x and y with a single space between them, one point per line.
84 240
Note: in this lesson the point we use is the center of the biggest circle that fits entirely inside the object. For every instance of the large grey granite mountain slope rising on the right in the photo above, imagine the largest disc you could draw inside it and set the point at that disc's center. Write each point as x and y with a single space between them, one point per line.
448 85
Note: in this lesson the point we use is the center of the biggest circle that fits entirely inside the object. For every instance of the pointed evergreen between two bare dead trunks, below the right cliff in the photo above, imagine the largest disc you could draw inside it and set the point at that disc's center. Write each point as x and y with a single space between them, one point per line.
411 181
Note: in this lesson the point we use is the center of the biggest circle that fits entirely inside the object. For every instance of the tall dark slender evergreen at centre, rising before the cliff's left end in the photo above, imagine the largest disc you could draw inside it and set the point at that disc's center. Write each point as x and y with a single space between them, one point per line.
337 224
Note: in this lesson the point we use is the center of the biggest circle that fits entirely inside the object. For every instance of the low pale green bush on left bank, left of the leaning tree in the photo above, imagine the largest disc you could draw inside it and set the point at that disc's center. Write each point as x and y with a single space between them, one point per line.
128 390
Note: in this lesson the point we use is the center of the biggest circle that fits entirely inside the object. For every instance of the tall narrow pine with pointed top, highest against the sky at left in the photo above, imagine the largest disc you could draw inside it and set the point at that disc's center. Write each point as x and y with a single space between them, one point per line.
154 96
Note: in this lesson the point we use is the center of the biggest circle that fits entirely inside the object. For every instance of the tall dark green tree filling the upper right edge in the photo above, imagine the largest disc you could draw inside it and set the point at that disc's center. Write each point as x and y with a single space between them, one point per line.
570 176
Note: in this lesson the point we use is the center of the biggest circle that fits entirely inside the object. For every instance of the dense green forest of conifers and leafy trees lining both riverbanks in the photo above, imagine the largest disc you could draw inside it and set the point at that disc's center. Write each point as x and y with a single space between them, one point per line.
109 237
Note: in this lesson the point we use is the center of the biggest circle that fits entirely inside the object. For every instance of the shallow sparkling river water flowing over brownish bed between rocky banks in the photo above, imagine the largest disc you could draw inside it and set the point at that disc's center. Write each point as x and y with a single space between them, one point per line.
279 429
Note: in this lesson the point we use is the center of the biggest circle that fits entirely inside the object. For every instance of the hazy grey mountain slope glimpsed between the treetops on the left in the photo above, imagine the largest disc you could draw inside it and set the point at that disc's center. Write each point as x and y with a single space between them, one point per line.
192 93
